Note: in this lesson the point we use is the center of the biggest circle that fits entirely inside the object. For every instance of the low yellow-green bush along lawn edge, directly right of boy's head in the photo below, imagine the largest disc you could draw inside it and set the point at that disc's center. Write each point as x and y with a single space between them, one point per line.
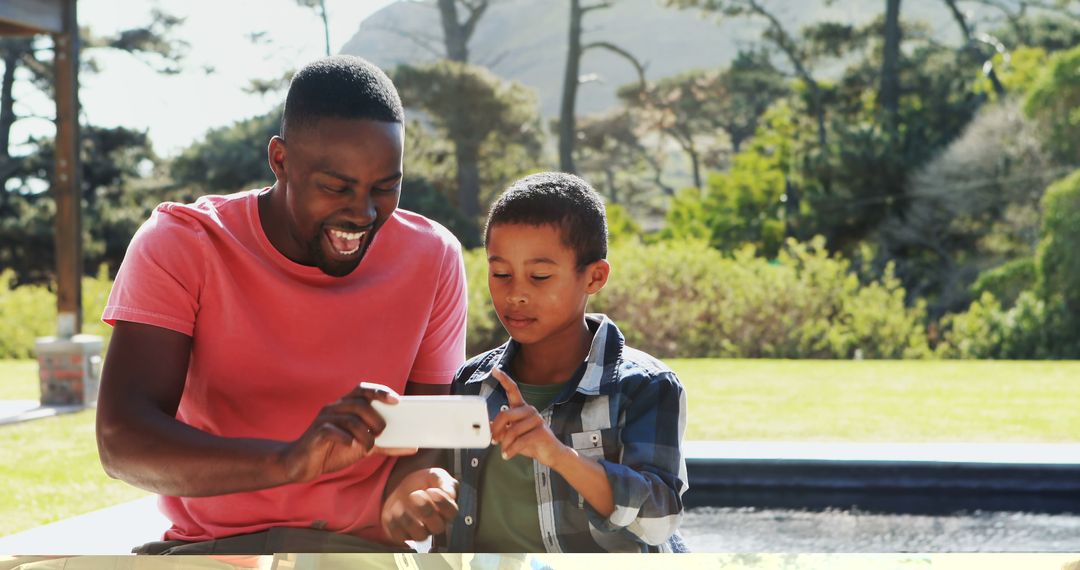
686 300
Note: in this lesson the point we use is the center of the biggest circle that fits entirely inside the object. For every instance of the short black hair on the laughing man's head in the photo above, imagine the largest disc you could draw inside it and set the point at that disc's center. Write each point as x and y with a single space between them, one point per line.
343 87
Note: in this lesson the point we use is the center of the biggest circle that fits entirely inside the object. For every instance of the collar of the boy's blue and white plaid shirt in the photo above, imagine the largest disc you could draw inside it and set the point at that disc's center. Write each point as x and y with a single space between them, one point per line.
604 352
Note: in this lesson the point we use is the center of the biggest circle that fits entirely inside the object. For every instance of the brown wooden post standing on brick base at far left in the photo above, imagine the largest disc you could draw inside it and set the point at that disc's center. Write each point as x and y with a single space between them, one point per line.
67 183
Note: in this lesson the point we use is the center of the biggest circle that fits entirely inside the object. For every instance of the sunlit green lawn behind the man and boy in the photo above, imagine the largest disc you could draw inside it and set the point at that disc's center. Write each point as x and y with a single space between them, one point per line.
51 469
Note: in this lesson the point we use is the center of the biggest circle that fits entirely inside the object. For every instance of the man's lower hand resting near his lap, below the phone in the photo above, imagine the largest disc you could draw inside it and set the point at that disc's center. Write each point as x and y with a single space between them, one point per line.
422 506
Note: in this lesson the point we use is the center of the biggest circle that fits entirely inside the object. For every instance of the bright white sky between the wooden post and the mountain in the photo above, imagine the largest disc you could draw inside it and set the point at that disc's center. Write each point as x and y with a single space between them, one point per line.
178 111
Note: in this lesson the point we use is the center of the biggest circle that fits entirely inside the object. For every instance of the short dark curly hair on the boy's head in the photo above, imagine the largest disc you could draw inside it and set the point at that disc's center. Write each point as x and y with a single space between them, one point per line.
561 200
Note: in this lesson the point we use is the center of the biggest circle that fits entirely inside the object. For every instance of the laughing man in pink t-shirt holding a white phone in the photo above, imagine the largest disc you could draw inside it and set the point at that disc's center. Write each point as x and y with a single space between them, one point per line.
246 324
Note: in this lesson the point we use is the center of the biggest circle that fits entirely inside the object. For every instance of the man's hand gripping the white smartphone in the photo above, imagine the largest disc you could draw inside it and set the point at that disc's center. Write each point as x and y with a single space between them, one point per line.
343 433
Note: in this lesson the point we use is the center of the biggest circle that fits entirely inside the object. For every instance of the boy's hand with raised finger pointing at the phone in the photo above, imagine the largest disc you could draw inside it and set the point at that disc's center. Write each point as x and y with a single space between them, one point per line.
522 430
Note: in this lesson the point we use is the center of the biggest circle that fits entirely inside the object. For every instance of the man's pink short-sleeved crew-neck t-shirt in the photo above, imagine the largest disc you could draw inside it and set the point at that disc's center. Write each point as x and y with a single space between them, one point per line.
275 342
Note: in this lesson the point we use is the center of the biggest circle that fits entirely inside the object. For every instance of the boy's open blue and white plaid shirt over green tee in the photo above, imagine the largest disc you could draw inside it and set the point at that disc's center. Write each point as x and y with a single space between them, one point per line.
629 412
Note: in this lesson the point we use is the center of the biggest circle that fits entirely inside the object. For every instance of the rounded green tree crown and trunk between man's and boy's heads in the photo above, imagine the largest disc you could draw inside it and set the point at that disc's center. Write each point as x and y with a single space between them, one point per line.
497 113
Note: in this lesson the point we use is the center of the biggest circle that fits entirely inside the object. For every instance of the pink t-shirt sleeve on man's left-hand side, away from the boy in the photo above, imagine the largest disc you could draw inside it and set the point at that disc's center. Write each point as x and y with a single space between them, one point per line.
161 277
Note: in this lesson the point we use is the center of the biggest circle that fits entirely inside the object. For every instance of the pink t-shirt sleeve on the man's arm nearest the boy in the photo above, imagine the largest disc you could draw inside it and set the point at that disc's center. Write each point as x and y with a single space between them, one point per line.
443 348
